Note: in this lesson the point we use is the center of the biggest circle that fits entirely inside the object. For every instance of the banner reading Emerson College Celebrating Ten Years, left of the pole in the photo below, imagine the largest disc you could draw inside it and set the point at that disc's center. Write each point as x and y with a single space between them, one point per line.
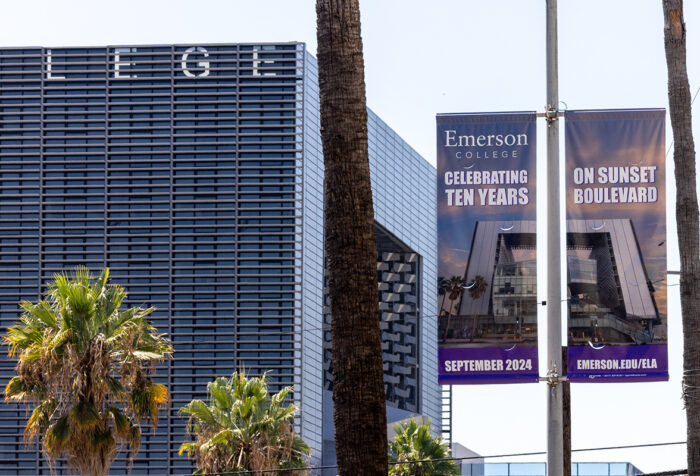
487 268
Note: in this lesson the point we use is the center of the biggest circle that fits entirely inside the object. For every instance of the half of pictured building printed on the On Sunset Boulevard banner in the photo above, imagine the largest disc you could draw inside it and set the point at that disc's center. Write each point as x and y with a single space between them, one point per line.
611 298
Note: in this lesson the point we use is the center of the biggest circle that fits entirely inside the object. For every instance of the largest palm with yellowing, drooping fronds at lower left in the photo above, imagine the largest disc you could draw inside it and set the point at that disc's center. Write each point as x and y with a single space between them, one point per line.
85 366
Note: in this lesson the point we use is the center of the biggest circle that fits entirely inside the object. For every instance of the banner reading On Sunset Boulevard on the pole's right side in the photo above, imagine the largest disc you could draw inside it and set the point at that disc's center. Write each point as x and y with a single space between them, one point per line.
616 245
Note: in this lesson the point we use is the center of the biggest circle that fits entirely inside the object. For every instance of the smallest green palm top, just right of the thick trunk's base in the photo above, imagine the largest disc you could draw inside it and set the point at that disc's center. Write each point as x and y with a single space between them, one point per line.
415 443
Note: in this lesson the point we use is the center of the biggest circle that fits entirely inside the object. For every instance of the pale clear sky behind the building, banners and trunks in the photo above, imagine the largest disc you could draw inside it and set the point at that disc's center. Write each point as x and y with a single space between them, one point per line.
424 58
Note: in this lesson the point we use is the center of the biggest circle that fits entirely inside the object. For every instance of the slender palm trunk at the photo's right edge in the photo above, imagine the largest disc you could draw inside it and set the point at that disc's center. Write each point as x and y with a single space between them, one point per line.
687 220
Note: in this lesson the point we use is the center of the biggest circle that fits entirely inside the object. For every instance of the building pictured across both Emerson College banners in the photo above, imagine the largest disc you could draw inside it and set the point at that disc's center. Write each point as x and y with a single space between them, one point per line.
611 298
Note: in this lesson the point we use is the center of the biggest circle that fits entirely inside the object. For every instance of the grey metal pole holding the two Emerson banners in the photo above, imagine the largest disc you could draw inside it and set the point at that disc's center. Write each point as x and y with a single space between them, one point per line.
555 427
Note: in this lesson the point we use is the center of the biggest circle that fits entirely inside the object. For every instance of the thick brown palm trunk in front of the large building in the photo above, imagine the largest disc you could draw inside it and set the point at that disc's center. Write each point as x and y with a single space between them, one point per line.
358 385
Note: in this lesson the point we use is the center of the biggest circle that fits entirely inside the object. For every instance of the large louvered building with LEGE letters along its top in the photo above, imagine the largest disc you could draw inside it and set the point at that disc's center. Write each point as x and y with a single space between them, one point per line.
195 173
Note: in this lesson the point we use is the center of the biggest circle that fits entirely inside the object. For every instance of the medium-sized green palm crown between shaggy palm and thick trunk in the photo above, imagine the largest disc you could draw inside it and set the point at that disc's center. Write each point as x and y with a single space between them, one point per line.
243 428
